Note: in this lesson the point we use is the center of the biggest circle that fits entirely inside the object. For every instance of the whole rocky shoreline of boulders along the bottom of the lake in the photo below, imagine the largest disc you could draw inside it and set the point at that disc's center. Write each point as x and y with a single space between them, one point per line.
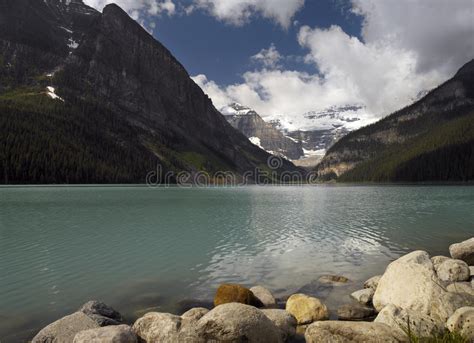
418 296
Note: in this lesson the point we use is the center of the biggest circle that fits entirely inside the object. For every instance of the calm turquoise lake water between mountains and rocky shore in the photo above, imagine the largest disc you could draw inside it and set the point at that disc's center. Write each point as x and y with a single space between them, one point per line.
140 249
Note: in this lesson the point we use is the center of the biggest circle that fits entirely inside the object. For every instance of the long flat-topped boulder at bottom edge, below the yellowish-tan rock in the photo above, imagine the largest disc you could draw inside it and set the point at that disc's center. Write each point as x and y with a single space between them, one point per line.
342 332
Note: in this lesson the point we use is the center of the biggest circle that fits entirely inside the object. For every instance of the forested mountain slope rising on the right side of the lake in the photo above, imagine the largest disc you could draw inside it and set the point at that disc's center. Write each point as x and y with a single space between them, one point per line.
431 140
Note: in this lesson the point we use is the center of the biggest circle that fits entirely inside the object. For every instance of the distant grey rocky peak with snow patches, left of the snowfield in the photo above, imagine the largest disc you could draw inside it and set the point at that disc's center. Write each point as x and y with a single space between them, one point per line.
260 132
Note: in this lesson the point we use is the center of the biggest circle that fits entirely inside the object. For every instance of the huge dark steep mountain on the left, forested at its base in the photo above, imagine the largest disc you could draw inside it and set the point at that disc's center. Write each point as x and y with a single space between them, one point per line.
90 97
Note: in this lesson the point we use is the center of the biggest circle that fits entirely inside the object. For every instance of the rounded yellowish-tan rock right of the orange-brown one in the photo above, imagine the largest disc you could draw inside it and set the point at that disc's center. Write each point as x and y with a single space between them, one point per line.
306 309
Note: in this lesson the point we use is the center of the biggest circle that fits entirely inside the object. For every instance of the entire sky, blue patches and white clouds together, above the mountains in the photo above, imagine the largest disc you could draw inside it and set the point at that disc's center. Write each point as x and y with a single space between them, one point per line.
288 57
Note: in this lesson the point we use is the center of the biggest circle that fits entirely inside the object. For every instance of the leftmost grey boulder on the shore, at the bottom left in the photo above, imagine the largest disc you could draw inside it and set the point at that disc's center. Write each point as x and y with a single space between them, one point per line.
63 330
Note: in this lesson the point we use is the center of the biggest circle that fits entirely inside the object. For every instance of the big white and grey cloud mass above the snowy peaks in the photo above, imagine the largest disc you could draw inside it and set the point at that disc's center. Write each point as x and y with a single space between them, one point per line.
406 47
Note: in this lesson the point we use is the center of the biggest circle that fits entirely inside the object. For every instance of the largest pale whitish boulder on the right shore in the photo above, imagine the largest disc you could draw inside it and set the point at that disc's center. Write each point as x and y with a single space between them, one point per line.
412 283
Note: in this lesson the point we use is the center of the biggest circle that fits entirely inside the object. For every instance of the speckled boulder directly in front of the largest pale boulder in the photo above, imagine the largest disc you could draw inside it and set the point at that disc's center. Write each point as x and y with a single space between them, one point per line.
401 320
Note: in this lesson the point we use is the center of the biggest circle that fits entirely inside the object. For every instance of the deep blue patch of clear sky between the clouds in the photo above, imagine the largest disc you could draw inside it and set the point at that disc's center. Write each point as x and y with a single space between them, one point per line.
222 51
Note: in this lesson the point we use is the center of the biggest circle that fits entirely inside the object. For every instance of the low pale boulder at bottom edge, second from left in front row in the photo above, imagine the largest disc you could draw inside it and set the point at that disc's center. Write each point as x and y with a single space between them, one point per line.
107 334
